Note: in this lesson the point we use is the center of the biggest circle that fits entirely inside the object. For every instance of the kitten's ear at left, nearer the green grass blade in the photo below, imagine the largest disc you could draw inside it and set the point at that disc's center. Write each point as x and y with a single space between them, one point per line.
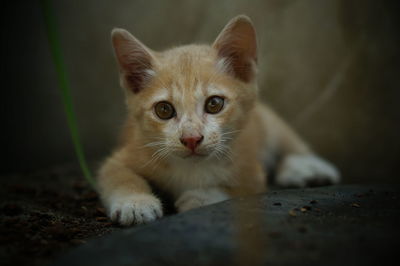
134 58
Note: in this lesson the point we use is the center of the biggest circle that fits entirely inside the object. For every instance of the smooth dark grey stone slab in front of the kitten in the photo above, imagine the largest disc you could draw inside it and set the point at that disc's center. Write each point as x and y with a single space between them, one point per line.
337 225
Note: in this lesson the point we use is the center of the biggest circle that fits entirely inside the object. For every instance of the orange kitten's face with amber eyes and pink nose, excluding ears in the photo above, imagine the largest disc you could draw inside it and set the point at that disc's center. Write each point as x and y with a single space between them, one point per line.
190 107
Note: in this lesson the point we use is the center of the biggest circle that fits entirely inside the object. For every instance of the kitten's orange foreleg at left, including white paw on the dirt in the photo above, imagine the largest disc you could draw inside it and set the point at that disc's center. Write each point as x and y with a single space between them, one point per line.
126 195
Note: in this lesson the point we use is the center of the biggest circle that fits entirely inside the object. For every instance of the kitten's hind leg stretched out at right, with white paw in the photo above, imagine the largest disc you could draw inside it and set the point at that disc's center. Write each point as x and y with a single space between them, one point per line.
299 166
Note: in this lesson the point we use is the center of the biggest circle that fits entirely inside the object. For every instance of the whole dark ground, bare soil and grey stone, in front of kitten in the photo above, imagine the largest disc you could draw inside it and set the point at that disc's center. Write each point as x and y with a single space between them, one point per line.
44 215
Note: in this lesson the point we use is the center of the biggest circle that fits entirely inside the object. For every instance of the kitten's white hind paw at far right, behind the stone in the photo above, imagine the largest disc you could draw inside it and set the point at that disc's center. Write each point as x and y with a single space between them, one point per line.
306 170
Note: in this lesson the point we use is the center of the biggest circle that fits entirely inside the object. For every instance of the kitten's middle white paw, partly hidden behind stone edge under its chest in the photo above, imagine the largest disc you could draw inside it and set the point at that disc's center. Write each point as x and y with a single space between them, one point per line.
199 197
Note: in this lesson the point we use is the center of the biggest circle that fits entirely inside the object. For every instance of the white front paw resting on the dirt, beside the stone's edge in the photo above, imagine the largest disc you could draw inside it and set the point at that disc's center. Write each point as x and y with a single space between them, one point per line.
134 209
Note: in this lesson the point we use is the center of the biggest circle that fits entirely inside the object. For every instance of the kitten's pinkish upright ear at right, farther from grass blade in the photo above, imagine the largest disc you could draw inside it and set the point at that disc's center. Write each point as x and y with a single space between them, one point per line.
237 48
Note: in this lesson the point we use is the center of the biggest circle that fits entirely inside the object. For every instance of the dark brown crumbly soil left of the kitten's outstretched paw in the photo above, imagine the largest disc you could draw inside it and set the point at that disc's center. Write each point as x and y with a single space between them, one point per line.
45 213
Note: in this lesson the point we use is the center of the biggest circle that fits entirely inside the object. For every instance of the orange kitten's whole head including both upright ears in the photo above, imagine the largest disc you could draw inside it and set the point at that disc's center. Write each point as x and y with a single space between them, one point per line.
190 101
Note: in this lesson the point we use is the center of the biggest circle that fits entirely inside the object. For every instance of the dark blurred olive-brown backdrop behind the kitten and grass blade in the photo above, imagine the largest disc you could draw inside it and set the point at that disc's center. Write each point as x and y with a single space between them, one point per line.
330 68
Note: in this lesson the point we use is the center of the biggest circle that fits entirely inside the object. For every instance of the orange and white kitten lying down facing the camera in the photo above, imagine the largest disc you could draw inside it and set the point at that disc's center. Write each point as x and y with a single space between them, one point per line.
196 129
